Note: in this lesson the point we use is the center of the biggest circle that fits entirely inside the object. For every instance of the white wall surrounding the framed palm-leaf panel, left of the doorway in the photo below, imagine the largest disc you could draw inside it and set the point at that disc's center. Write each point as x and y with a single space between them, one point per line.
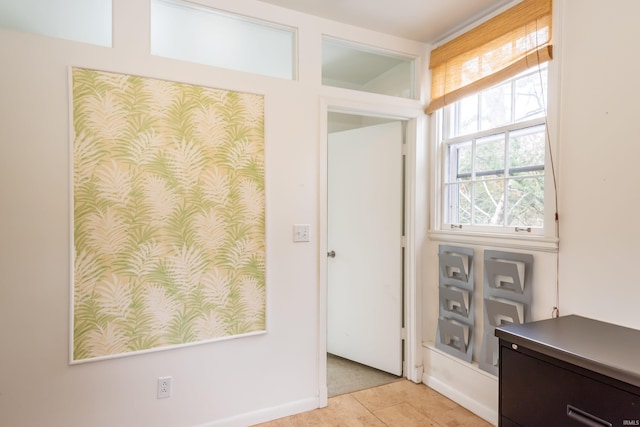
235 382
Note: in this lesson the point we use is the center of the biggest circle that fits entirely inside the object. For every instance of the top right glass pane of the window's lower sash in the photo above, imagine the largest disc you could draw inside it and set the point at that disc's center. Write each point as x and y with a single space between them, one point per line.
526 151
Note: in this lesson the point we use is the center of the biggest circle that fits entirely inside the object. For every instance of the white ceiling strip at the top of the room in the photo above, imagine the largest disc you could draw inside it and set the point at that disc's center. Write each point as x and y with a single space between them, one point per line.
422 20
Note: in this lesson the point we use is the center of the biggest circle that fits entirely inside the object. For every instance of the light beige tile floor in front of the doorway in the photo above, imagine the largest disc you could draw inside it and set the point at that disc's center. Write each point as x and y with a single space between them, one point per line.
399 404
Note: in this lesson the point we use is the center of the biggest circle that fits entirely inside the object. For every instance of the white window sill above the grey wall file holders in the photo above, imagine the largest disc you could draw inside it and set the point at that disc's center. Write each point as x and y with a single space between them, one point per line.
534 243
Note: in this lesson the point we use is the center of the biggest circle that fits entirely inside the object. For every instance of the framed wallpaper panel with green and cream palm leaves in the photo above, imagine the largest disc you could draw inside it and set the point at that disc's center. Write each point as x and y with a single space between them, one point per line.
168 214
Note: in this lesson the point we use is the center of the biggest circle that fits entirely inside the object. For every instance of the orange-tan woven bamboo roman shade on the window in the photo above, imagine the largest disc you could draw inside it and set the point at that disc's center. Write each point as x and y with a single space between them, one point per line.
496 50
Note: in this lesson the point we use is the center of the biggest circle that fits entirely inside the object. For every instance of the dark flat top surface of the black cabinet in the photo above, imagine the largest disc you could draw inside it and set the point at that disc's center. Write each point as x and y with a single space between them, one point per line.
601 347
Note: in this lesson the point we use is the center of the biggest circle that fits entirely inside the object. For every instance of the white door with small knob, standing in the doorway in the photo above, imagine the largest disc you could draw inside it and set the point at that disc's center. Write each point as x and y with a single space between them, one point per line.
364 290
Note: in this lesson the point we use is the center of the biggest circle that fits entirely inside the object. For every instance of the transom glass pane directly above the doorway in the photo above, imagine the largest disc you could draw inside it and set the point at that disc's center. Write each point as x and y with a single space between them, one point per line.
351 66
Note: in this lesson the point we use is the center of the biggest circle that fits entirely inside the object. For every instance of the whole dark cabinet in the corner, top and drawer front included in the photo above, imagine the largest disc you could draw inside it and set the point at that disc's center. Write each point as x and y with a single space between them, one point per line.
569 371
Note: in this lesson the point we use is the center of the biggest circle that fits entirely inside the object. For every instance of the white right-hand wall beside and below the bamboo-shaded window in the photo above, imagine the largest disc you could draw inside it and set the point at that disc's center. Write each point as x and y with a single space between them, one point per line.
598 139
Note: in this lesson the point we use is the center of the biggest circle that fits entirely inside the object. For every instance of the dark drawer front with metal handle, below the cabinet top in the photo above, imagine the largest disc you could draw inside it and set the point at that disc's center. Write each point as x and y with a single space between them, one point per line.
534 392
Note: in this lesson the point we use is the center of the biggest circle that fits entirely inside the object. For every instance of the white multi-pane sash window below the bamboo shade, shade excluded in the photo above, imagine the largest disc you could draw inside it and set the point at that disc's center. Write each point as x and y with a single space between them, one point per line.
493 150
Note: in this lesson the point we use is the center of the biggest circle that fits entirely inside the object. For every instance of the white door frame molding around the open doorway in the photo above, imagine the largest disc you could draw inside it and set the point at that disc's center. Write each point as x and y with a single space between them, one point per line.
415 228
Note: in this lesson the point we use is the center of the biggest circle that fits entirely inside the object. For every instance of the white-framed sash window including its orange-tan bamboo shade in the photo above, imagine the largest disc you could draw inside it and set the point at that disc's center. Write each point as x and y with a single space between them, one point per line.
489 89
